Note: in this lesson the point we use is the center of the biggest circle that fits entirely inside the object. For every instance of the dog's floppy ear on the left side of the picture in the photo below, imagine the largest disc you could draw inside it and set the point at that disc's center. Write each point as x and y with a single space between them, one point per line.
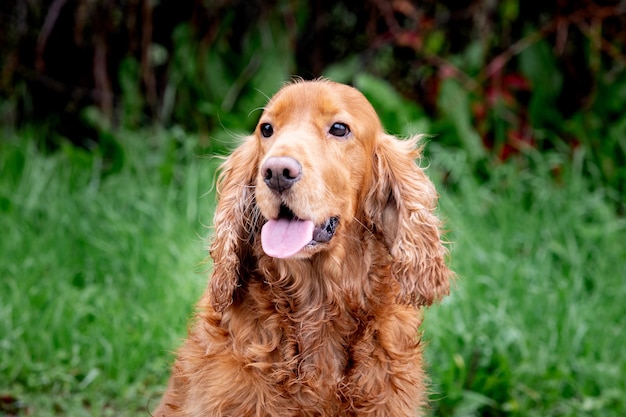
235 222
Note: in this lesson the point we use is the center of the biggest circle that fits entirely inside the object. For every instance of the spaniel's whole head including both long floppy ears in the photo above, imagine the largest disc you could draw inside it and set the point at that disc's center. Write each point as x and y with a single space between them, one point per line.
318 161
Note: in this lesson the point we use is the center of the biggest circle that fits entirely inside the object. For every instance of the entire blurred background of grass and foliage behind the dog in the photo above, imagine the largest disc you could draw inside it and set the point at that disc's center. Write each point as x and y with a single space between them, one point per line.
112 114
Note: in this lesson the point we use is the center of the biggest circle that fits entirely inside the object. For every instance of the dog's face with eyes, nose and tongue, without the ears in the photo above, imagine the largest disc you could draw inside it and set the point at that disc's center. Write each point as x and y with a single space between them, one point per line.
316 142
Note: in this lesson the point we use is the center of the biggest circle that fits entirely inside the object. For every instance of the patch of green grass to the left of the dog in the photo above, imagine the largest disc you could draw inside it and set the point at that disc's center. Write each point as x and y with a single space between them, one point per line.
98 273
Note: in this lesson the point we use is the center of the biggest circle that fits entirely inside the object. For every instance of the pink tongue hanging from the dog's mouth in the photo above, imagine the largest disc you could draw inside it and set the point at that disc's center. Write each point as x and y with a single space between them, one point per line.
283 238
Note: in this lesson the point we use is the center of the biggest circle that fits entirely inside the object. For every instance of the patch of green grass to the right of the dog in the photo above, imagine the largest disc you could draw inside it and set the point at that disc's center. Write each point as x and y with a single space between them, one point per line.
535 326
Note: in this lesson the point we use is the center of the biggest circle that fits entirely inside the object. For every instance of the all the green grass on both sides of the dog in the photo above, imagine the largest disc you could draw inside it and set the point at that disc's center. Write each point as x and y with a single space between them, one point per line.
101 263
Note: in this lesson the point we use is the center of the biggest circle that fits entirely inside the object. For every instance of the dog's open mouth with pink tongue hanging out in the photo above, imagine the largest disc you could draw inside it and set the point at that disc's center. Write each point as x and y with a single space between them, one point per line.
288 235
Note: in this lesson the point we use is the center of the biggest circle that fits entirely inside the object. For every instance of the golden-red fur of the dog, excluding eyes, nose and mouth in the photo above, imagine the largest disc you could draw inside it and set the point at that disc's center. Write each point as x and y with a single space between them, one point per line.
333 330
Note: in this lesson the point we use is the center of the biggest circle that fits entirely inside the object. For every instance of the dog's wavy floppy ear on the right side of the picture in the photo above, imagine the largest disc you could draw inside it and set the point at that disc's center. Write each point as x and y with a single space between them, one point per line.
400 204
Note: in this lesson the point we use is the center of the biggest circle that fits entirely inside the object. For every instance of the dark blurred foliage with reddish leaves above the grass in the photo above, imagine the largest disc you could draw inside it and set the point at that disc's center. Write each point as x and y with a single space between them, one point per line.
496 77
